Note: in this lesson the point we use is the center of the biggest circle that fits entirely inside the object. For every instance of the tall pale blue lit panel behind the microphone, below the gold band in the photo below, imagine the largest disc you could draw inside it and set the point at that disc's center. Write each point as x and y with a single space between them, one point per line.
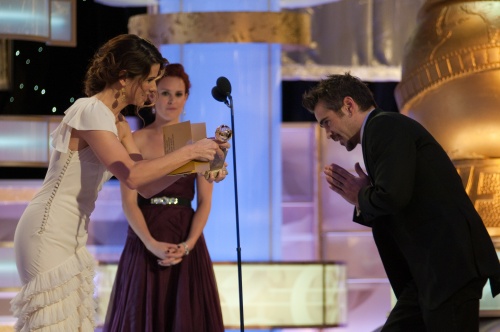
257 123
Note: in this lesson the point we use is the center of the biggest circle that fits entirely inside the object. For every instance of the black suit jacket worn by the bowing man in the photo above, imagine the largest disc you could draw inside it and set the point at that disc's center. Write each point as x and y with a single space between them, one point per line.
425 226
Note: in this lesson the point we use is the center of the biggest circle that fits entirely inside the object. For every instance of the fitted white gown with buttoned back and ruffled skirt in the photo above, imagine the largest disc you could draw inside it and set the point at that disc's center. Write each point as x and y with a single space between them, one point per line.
53 263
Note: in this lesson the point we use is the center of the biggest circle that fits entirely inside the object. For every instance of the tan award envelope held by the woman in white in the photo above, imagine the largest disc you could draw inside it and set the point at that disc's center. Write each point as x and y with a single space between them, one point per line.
180 134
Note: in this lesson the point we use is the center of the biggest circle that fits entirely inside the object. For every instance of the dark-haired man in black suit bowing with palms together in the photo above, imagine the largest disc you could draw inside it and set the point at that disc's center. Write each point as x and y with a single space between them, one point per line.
434 246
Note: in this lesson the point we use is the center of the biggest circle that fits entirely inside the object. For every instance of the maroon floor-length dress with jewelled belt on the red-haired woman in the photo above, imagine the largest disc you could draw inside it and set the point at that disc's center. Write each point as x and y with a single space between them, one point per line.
149 298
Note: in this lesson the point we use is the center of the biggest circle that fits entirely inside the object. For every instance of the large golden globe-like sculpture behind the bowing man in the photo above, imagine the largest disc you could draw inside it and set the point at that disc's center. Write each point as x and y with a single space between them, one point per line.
451 84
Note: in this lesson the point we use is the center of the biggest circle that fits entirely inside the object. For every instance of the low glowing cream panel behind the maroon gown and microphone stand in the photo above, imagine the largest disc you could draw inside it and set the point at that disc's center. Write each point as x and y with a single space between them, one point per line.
275 294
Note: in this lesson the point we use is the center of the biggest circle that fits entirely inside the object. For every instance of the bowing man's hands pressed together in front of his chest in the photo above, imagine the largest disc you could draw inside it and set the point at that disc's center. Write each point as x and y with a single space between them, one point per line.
346 184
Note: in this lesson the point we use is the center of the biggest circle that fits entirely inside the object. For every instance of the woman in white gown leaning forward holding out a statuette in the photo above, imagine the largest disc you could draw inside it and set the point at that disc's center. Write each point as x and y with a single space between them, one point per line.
92 143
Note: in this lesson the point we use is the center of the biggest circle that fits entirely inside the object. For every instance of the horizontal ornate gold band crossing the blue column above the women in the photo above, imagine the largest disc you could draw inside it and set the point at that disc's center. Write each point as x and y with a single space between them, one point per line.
291 29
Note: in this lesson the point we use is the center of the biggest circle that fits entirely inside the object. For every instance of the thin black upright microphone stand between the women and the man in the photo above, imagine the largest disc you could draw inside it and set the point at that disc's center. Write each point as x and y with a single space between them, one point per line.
238 248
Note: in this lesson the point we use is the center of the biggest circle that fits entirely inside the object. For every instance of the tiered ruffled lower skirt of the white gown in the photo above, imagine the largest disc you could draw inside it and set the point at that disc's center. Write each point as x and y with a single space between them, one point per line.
59 300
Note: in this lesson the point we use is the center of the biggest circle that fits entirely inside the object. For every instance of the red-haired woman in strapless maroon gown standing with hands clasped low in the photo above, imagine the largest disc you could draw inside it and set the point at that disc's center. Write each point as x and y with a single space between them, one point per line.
179 293
